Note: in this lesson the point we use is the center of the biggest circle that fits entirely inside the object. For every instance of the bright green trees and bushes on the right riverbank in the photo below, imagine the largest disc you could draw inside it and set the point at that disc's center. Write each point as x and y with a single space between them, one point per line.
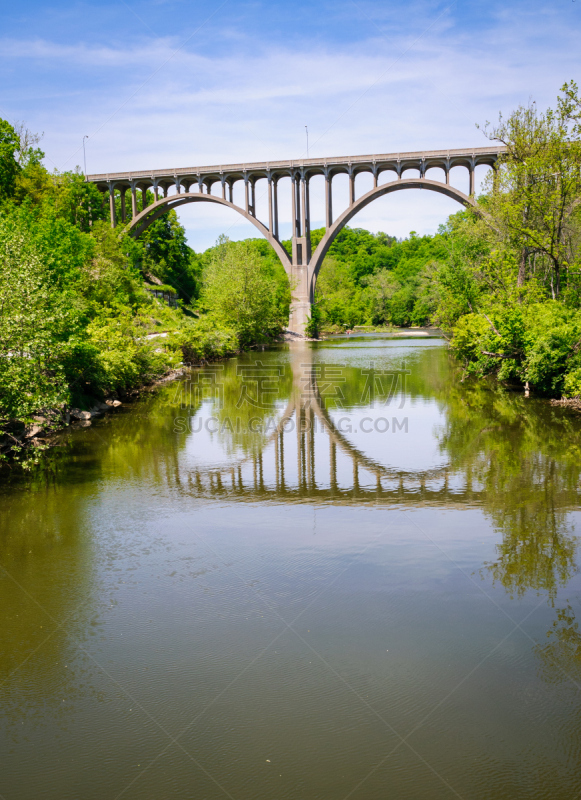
511 287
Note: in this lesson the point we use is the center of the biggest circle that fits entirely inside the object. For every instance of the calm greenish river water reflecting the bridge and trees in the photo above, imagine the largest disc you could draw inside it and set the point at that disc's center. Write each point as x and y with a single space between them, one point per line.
325 570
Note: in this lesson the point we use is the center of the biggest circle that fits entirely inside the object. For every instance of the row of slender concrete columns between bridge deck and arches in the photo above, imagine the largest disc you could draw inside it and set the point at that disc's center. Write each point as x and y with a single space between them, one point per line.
300 200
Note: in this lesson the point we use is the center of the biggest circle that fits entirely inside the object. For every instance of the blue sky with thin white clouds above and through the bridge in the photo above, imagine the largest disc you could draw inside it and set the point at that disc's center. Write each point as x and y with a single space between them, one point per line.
163 83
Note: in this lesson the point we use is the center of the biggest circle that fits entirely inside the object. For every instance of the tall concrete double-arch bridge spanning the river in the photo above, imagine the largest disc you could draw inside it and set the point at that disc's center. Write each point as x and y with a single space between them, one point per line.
215 184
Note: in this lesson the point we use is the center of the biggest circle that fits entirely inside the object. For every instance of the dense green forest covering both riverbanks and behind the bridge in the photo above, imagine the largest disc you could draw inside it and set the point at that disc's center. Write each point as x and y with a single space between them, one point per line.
87 312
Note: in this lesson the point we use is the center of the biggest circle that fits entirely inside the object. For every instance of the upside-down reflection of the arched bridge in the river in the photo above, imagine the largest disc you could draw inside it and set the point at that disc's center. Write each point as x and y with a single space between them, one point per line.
308 457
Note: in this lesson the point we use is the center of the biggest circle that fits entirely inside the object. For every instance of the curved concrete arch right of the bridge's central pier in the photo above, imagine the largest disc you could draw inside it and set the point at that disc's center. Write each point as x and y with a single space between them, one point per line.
349 213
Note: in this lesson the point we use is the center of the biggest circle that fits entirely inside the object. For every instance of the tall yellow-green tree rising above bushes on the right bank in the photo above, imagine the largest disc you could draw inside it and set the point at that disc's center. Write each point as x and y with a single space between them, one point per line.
534 192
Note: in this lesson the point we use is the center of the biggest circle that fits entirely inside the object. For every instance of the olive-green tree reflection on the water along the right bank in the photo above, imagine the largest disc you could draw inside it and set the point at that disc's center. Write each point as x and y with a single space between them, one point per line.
525 456
